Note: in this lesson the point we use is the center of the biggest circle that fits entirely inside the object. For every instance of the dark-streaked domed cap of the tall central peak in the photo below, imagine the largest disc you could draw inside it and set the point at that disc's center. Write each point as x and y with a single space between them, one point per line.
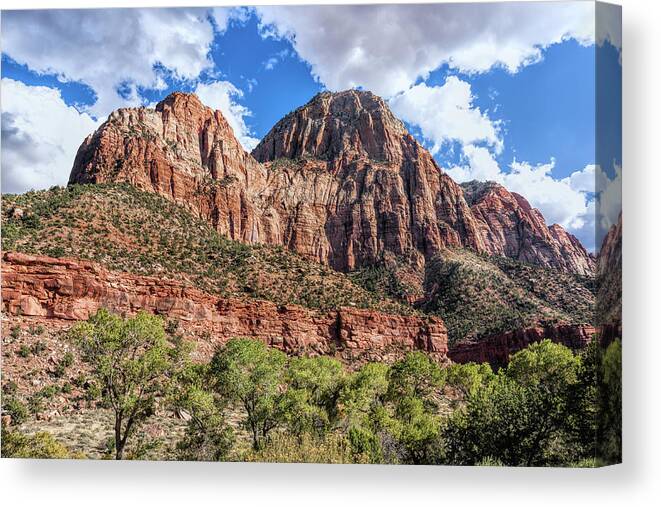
349 124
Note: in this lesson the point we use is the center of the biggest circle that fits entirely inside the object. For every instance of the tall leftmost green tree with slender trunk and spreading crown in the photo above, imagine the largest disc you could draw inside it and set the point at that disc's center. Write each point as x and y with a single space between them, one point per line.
133 364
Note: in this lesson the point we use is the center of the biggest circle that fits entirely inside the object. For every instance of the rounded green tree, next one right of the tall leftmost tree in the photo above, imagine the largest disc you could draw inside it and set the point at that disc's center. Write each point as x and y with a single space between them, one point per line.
249 372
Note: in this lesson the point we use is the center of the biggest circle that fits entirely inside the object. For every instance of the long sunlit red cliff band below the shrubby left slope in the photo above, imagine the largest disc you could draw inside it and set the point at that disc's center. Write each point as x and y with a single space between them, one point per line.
68 290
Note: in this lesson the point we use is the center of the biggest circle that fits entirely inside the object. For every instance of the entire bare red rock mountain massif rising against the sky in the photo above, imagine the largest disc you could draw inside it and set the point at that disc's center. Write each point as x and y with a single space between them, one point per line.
338 180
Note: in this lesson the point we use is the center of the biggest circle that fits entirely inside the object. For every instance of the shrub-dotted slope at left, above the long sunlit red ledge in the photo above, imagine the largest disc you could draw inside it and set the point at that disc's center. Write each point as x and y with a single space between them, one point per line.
126 229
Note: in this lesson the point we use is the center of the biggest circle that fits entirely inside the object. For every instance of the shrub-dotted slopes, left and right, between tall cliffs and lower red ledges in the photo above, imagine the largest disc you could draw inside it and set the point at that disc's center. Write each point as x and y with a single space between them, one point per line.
128 230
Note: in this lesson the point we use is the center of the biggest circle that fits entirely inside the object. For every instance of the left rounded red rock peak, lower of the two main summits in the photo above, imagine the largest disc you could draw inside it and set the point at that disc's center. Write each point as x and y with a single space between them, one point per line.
185 152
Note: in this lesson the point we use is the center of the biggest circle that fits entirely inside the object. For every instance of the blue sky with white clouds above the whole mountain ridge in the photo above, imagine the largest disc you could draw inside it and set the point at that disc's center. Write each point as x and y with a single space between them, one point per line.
502 91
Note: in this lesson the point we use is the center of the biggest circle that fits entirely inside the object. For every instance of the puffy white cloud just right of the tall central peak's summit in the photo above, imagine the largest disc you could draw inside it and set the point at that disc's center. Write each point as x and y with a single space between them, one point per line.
446 113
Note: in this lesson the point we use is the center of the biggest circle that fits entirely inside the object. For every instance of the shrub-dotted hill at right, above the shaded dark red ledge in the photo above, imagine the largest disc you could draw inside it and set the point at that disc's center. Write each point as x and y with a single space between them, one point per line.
478 296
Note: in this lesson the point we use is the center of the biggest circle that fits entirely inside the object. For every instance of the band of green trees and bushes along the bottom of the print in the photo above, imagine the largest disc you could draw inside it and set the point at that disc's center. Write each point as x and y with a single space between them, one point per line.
549 406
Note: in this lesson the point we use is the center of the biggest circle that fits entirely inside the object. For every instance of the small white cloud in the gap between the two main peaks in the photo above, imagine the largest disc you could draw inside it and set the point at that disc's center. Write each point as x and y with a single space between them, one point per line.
221 95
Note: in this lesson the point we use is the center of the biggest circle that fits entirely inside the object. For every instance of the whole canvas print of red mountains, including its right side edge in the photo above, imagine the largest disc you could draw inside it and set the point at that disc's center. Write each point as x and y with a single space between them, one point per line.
359 234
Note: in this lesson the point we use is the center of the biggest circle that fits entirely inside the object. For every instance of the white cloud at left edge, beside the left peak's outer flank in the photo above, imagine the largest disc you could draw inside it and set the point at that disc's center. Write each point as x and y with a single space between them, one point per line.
40 136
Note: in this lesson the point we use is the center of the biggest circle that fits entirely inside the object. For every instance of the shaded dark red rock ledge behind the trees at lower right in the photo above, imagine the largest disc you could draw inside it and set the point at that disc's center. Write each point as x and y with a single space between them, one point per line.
497 349
